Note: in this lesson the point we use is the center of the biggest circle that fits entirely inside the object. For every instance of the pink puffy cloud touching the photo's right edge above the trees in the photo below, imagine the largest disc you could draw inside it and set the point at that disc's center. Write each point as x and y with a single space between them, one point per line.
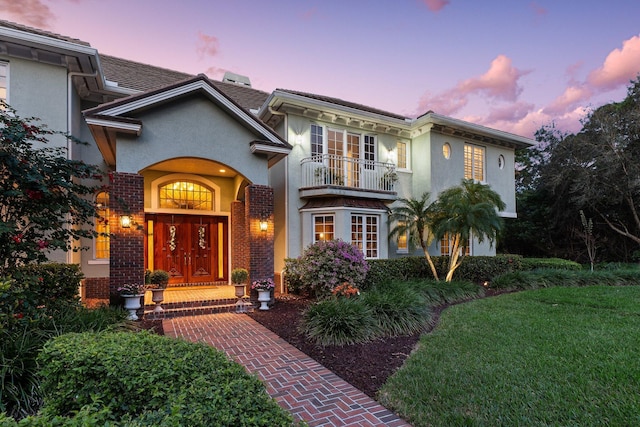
620 66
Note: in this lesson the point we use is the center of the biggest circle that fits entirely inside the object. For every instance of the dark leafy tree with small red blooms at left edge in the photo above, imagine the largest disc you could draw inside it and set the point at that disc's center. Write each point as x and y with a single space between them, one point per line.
45 204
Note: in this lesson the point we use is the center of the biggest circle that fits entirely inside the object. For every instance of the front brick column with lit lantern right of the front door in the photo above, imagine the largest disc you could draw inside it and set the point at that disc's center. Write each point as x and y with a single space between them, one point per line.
259 207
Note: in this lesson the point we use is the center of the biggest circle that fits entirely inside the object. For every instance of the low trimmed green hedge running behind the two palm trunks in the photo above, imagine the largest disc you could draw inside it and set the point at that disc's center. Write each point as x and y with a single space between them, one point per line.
476 269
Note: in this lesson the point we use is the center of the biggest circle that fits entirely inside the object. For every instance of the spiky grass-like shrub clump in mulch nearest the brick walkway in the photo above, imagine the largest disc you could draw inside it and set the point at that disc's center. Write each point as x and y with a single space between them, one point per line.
339 321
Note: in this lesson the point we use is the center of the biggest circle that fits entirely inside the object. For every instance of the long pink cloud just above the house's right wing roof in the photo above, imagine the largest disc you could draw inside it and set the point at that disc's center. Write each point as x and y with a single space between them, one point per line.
500 82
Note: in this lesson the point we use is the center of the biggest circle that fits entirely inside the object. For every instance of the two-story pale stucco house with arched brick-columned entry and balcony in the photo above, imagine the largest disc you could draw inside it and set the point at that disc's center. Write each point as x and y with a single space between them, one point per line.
207 176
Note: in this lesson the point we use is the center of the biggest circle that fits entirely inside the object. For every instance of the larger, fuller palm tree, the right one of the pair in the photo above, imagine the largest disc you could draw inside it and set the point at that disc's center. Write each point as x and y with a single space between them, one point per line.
468 209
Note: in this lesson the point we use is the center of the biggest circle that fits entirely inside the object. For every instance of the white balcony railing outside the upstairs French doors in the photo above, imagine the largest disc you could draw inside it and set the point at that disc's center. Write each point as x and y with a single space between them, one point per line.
329 169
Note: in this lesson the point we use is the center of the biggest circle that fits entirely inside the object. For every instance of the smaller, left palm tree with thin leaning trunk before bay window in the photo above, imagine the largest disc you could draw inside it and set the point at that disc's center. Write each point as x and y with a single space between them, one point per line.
414 216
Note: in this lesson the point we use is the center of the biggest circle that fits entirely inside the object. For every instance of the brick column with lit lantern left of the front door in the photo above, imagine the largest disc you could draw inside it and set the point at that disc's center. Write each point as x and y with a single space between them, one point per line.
126 262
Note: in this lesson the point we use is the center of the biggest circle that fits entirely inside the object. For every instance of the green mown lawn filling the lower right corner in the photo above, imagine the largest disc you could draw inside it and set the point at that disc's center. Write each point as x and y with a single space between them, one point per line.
556 356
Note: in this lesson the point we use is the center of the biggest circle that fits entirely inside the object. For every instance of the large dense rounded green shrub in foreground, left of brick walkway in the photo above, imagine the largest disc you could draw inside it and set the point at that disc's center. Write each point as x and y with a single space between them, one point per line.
190 384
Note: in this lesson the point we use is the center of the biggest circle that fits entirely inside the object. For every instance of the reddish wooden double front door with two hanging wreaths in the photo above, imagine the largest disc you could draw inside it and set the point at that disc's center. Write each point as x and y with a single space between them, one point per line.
192 248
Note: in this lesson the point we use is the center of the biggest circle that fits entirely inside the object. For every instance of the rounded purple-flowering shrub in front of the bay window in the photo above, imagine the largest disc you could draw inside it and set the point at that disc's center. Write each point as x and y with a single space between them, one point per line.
327 264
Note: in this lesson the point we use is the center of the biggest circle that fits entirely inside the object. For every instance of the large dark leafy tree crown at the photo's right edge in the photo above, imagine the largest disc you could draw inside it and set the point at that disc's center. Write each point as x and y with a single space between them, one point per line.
600 166
